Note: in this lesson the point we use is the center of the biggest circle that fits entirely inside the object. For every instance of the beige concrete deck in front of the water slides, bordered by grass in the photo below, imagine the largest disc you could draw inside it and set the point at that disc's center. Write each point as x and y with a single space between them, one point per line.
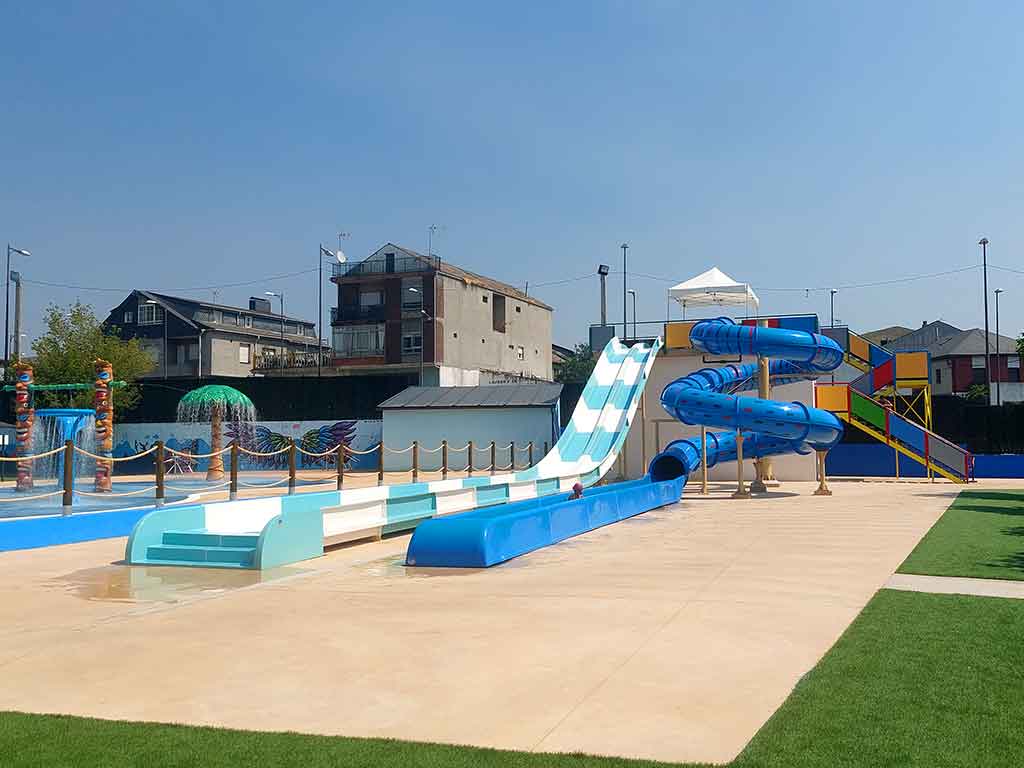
673 636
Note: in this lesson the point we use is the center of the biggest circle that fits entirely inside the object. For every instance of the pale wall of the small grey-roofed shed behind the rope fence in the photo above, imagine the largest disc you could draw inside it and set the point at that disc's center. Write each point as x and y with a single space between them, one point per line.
458 426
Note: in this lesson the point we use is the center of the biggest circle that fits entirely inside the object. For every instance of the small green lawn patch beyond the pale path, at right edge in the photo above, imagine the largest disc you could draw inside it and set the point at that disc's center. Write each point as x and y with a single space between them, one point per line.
982 536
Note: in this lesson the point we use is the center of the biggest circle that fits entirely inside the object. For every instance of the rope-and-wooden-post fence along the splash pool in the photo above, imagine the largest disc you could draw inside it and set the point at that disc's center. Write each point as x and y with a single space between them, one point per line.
166 460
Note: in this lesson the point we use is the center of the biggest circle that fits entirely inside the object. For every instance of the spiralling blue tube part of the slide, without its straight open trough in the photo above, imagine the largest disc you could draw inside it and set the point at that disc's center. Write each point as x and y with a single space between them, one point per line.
770 428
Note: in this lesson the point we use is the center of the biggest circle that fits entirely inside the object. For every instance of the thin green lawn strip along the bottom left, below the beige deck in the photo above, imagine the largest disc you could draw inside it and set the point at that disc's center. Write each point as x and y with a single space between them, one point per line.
60 742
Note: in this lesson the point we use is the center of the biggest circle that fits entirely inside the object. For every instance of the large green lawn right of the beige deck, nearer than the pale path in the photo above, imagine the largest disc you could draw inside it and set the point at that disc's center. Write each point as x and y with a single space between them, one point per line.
918 680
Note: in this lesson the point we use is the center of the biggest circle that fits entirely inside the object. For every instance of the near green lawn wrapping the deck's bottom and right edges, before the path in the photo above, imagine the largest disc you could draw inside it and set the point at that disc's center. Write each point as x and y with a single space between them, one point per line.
918 680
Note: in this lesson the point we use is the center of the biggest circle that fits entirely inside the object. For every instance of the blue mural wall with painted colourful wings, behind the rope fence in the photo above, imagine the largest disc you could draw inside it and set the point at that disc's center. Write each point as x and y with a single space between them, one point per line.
314 437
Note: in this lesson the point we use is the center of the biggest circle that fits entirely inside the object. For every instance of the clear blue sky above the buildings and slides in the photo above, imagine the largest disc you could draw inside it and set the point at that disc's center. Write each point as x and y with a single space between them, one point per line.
793 145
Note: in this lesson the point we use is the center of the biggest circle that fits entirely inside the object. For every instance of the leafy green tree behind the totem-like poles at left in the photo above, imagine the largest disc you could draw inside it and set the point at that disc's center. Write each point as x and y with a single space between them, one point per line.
65 355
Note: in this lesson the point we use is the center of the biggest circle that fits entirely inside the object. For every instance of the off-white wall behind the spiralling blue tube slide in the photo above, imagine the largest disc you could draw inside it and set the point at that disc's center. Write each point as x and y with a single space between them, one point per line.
671 366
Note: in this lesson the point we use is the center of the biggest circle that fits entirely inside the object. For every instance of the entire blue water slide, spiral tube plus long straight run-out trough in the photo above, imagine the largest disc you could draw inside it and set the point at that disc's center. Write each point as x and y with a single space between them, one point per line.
486 537
